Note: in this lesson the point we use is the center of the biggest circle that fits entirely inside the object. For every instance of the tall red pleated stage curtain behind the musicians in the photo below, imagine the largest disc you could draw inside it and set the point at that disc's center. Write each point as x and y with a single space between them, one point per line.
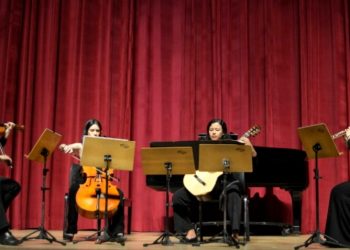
154 70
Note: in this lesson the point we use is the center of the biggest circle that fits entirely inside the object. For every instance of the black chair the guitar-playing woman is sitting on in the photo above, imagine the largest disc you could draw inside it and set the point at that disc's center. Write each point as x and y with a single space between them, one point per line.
245 212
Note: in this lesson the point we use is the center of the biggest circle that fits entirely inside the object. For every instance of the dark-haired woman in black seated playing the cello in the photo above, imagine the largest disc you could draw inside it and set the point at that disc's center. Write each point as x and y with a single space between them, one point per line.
77 176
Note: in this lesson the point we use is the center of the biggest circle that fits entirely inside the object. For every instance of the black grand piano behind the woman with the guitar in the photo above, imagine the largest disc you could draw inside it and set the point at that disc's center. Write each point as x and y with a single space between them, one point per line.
273 167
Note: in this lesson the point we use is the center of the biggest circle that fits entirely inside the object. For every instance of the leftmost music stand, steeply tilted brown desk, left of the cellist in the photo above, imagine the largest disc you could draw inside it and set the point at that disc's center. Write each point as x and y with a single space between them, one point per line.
42 149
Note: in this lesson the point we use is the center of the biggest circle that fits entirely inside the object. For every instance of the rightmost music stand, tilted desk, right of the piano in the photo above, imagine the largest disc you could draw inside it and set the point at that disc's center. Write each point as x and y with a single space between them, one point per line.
318 143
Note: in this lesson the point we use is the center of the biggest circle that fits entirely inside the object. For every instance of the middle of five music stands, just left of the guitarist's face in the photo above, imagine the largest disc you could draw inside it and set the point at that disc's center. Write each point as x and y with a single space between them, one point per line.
167 161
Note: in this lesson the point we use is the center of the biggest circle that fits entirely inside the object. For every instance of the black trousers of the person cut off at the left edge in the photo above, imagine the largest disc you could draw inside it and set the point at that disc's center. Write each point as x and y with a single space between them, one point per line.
9 189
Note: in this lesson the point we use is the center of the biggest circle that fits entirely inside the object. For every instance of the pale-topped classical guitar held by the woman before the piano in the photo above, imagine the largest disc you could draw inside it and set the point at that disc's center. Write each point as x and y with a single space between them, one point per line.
202 182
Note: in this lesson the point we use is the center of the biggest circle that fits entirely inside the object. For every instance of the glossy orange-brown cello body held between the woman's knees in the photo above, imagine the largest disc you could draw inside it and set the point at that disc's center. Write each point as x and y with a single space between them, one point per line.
91 196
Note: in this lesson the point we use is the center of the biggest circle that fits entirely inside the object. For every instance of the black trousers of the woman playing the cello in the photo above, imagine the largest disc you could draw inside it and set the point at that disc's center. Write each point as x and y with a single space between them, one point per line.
116 223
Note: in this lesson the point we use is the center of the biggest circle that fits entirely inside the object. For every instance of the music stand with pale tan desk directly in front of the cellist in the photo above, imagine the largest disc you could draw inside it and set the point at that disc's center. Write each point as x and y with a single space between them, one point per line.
111 153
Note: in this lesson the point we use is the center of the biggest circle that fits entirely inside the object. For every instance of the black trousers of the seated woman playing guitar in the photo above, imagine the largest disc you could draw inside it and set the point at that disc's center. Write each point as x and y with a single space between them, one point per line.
184 205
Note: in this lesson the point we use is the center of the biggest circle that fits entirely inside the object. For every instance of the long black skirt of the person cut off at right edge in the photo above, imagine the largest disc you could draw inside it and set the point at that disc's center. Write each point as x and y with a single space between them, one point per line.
338 217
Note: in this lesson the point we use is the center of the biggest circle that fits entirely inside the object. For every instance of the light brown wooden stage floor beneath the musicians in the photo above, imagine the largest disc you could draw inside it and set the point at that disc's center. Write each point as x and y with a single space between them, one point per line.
136 240
